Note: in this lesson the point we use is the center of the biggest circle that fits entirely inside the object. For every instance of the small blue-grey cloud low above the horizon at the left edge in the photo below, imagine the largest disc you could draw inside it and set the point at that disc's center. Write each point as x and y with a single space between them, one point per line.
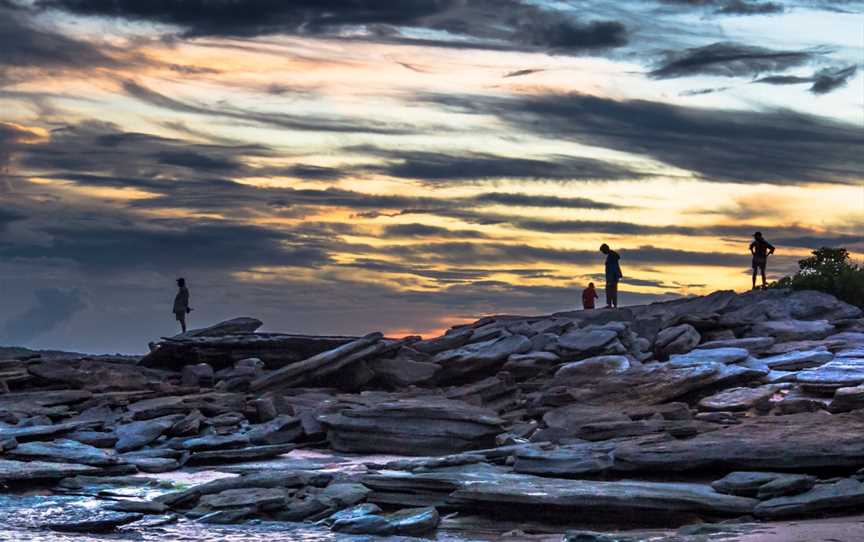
53 307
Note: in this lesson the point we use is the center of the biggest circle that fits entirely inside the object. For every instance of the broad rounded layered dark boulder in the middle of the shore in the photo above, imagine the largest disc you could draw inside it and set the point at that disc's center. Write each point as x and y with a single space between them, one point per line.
426 426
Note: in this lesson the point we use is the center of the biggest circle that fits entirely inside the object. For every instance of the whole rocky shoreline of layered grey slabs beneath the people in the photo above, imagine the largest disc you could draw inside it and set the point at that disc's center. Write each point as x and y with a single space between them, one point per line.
701 413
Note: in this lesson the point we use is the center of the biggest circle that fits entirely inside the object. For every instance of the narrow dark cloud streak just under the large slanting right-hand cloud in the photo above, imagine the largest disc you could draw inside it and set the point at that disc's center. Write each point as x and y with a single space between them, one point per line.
433 167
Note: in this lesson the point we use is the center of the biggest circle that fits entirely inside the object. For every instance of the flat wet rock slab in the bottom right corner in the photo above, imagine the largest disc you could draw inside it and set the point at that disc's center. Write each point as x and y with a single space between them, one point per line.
845 495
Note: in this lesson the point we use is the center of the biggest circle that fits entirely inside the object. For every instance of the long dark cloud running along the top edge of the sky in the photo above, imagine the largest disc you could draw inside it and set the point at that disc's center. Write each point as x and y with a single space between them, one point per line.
489 23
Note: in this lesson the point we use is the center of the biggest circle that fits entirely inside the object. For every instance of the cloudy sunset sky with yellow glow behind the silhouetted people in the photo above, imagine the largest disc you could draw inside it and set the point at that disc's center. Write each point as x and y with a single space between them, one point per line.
346 166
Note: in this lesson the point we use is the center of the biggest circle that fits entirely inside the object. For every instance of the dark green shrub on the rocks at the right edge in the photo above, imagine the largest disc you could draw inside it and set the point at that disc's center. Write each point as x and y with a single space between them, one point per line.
828 270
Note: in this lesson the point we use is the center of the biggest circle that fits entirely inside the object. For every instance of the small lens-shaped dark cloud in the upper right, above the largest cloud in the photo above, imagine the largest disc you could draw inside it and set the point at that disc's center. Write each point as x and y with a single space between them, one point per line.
728 60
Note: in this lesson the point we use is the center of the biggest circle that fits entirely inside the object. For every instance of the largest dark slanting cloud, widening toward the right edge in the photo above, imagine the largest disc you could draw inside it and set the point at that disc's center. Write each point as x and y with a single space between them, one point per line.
772 146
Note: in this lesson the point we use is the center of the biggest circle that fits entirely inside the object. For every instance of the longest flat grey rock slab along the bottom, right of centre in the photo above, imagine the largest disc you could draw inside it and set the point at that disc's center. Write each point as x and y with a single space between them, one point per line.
580 497
